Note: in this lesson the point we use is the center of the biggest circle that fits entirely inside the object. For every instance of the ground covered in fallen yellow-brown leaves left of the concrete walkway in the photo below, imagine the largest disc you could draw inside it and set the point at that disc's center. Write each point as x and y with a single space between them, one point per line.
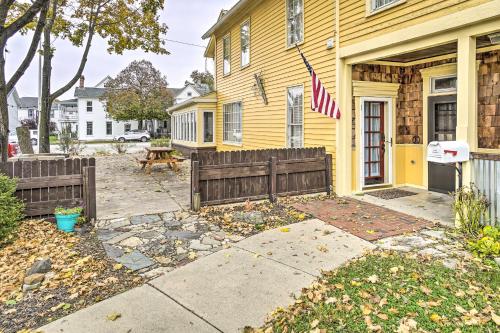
81 275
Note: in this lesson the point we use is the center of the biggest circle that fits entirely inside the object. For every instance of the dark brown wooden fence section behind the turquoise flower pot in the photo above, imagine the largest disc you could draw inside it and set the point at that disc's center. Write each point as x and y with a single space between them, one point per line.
46 184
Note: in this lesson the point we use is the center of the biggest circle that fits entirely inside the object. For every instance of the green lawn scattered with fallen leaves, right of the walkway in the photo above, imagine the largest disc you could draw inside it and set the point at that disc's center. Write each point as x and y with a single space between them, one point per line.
402 291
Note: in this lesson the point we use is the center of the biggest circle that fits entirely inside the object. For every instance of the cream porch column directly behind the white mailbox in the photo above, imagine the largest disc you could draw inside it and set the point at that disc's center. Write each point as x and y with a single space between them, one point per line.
466 97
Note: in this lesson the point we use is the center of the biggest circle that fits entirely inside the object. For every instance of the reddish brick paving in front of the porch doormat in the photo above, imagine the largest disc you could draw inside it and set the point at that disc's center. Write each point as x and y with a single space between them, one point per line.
365 220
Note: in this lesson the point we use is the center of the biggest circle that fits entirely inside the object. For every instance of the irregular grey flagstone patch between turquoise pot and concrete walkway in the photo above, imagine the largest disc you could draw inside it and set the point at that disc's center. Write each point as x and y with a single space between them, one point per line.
157 243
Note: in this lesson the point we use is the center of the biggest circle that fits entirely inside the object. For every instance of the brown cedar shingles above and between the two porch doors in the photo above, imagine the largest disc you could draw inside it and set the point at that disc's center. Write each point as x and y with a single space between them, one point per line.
409 104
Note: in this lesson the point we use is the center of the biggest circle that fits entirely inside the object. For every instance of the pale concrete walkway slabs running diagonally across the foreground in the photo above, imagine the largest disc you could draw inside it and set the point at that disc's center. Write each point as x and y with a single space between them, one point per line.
227 290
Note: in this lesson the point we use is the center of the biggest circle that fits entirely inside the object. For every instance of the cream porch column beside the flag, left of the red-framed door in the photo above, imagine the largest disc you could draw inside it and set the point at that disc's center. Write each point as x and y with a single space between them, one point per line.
343 177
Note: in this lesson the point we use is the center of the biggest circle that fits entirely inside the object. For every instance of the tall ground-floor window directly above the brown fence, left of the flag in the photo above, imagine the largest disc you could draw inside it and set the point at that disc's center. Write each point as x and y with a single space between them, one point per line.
295 117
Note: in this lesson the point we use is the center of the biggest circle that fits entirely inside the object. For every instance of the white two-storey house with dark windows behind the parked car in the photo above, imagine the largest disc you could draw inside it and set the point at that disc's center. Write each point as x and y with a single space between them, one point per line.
94 123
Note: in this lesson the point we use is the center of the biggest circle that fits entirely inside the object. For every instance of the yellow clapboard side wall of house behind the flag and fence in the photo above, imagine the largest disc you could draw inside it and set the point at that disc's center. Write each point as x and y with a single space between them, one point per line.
264 126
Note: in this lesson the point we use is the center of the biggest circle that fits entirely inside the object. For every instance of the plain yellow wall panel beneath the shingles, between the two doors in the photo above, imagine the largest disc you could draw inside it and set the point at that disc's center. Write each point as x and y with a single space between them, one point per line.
409 165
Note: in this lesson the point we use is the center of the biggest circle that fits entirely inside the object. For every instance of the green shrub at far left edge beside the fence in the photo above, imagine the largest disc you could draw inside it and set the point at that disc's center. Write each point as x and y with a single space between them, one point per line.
11 209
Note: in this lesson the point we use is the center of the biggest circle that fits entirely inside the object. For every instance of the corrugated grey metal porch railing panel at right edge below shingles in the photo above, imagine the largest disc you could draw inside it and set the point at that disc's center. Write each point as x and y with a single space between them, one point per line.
487 179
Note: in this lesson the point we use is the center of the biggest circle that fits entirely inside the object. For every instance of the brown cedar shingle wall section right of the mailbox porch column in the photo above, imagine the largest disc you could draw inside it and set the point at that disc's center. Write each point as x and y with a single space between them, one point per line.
489 100
